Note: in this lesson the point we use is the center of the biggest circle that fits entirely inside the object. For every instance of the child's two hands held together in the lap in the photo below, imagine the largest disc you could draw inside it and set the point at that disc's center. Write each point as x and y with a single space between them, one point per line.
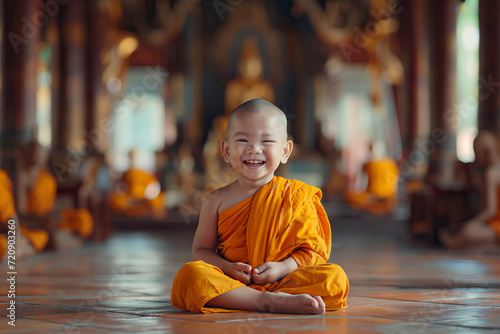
267 272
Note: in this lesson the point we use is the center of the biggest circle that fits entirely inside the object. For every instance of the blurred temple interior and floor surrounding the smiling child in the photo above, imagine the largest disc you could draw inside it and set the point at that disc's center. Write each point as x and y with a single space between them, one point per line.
112 114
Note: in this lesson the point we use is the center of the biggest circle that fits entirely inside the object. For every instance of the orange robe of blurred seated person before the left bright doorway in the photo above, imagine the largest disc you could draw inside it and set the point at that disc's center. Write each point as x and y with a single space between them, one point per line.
137 182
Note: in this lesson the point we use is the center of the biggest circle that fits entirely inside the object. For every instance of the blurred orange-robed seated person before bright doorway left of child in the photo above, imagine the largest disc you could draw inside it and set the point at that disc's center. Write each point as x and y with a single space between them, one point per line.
138 193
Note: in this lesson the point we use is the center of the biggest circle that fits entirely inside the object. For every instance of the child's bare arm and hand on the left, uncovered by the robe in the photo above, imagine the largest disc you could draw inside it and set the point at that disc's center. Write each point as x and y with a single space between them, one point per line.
205 243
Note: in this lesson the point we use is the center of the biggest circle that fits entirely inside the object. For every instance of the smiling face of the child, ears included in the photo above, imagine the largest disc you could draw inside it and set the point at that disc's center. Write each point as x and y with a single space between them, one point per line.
256 144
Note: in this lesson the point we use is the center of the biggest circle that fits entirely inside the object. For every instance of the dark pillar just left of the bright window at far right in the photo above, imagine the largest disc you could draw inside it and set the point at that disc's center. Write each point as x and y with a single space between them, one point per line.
441 142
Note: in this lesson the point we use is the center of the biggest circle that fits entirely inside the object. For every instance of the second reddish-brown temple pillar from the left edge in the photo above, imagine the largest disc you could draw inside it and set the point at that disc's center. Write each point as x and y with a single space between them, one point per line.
71 104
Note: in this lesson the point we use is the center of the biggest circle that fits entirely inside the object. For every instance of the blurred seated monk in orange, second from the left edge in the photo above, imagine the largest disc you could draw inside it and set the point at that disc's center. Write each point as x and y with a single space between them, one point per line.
37 195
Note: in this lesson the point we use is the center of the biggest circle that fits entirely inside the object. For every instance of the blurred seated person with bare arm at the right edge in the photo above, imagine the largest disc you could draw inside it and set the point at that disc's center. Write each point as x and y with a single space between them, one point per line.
484 228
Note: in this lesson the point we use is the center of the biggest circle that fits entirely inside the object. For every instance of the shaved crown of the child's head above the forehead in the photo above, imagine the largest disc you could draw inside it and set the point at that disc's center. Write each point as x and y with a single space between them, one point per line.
260 105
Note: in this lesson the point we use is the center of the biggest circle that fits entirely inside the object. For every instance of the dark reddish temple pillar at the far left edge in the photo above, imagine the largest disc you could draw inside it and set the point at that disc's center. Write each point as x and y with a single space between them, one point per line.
20 33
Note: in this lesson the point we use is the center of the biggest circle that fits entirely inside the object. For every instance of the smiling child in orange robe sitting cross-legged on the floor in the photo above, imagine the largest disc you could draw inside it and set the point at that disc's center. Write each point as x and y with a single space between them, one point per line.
262 242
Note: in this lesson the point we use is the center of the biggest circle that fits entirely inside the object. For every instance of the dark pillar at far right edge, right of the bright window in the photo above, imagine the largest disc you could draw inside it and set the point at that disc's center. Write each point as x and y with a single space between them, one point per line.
489 66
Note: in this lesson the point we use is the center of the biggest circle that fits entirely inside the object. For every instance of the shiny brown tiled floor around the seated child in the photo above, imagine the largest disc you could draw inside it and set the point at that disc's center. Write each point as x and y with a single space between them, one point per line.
123 286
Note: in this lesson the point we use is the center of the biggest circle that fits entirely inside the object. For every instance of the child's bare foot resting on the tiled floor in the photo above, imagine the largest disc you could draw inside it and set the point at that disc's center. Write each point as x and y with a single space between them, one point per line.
279 302
